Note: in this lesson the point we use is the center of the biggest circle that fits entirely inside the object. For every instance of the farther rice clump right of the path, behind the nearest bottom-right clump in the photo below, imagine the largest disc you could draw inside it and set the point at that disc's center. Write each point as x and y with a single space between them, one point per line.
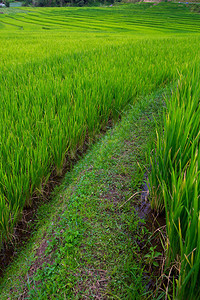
181 131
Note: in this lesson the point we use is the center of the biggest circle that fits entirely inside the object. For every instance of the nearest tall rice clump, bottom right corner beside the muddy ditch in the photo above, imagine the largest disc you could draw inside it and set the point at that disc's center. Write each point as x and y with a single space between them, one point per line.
183 220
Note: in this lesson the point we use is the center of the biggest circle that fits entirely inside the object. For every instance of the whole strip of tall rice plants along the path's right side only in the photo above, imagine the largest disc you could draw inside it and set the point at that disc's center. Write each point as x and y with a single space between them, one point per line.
175 181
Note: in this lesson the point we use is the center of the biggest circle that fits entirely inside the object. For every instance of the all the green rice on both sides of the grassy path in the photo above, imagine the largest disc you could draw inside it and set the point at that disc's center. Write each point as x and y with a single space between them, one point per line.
66 72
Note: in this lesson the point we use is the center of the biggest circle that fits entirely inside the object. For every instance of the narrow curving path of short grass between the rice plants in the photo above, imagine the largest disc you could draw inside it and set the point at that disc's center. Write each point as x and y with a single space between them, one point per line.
90 243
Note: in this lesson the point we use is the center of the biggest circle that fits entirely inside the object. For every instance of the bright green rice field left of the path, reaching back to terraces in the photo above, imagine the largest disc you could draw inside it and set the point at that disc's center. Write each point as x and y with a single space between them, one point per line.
66 72
